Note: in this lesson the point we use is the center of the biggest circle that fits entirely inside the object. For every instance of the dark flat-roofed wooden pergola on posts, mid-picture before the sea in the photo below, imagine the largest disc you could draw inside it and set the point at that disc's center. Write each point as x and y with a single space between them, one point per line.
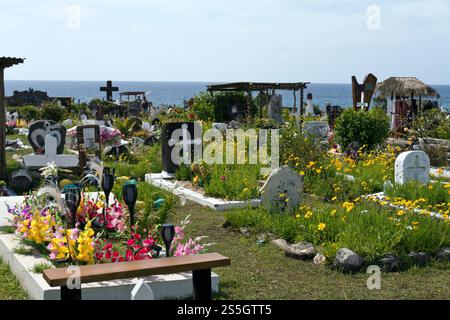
263 87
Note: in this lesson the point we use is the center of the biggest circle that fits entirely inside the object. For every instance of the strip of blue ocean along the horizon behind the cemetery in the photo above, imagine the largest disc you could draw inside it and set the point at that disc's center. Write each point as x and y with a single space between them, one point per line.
170 93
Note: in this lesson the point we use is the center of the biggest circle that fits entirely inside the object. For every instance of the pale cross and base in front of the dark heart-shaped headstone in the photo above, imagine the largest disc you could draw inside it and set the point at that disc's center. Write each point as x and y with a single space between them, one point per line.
60 160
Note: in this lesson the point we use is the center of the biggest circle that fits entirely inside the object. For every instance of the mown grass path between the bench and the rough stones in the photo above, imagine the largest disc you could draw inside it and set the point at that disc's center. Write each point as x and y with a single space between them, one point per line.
264 272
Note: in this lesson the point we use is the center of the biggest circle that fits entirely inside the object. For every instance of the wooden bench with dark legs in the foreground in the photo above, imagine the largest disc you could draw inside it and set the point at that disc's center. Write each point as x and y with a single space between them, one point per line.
200 265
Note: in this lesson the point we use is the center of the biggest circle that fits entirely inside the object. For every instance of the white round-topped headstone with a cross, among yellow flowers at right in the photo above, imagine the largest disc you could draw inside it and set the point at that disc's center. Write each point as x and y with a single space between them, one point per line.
412 165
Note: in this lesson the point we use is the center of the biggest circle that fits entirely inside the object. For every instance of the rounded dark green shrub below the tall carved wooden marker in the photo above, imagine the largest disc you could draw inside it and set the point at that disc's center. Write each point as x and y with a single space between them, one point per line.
368 128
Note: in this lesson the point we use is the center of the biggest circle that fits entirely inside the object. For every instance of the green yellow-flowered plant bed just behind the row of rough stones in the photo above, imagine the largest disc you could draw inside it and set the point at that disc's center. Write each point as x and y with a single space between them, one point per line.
368 229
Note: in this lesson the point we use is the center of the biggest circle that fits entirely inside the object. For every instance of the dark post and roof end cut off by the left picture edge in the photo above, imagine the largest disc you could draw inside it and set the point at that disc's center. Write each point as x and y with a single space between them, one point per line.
5 62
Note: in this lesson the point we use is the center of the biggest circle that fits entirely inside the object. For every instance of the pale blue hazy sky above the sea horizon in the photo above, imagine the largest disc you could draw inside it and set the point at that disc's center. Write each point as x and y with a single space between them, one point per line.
226 40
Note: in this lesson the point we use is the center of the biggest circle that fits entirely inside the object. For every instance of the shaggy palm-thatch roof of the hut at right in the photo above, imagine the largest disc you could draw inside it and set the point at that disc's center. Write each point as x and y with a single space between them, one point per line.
405 87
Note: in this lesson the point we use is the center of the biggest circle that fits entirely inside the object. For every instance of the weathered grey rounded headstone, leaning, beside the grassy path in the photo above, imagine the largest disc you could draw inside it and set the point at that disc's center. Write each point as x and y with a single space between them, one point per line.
283 190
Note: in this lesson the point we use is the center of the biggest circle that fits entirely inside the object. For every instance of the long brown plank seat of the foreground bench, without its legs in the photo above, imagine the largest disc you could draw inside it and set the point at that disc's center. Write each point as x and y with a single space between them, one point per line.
57 277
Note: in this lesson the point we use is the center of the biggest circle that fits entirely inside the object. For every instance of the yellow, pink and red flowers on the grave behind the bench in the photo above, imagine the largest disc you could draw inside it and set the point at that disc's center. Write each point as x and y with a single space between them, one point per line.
101 234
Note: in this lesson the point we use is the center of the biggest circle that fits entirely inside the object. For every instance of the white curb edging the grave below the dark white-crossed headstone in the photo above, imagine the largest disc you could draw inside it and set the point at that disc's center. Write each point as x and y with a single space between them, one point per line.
213 203
